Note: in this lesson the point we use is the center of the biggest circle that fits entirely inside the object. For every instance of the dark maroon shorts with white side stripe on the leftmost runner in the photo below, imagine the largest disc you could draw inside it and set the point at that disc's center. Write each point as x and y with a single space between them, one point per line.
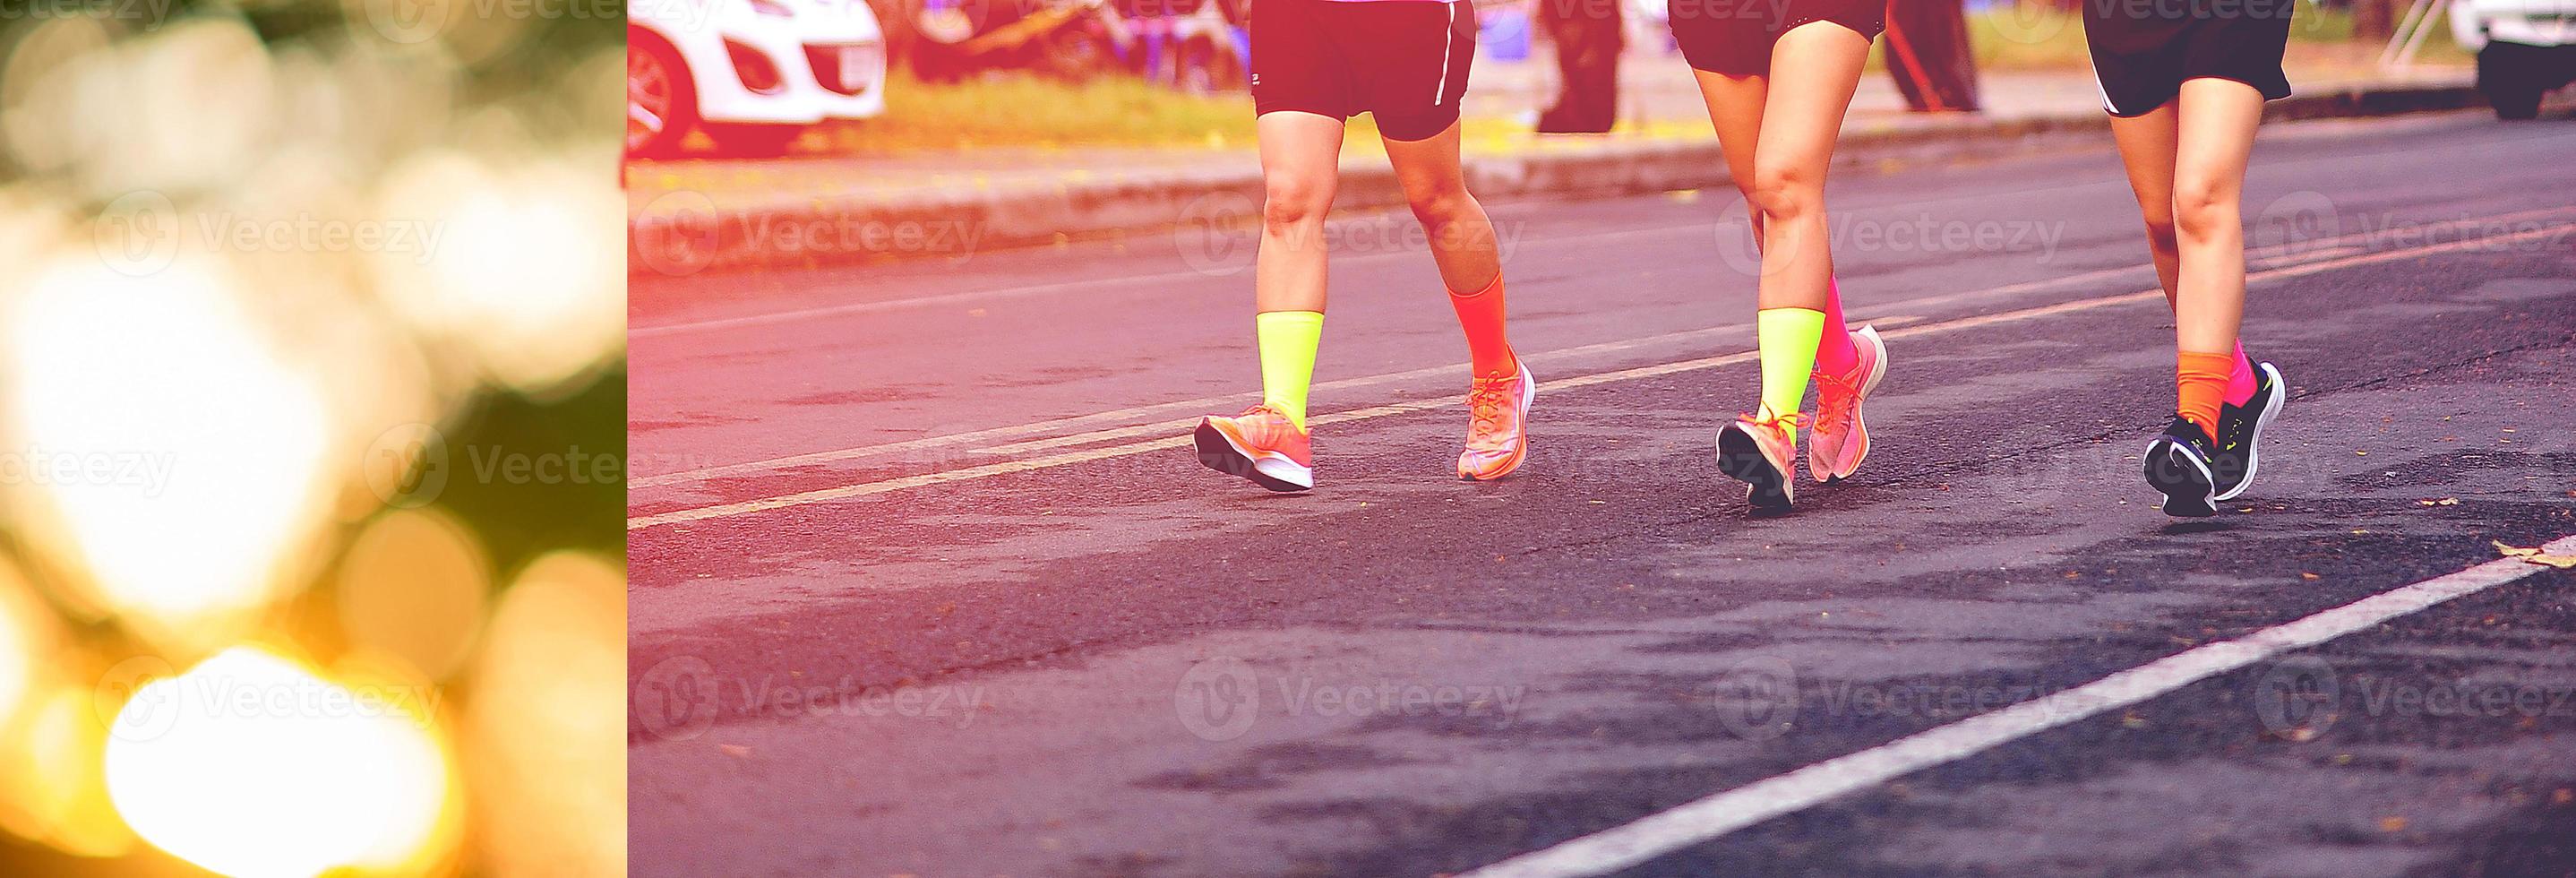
1400 61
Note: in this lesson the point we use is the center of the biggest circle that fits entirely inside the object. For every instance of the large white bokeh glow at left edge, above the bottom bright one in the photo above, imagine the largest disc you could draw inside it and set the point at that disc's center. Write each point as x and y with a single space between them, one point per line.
182 496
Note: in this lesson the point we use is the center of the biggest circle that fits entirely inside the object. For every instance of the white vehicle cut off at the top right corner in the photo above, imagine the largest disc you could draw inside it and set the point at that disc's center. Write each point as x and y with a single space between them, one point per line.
2526 50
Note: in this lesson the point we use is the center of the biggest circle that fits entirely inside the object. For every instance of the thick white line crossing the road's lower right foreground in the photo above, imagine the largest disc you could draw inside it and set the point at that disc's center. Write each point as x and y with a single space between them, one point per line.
1750 805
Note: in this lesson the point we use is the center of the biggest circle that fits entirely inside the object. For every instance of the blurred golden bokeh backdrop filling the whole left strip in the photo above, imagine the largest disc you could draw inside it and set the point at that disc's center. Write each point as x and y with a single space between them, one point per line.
254 261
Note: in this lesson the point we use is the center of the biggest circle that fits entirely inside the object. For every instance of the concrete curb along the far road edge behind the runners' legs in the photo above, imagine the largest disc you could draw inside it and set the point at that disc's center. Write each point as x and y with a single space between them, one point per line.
687 233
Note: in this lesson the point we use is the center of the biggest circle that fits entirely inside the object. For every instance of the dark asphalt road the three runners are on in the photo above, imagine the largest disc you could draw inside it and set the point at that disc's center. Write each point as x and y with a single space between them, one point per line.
929 583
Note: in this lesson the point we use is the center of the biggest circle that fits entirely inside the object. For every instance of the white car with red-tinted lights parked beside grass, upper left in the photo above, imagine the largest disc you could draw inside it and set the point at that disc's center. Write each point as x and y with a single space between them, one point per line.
751 73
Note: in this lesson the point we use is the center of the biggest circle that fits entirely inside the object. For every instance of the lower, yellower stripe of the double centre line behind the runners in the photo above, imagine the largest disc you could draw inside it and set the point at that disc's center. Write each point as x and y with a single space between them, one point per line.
1624 375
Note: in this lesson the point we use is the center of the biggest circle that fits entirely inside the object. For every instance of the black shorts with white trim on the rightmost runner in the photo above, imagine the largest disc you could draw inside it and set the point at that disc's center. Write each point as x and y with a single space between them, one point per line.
2147 48
